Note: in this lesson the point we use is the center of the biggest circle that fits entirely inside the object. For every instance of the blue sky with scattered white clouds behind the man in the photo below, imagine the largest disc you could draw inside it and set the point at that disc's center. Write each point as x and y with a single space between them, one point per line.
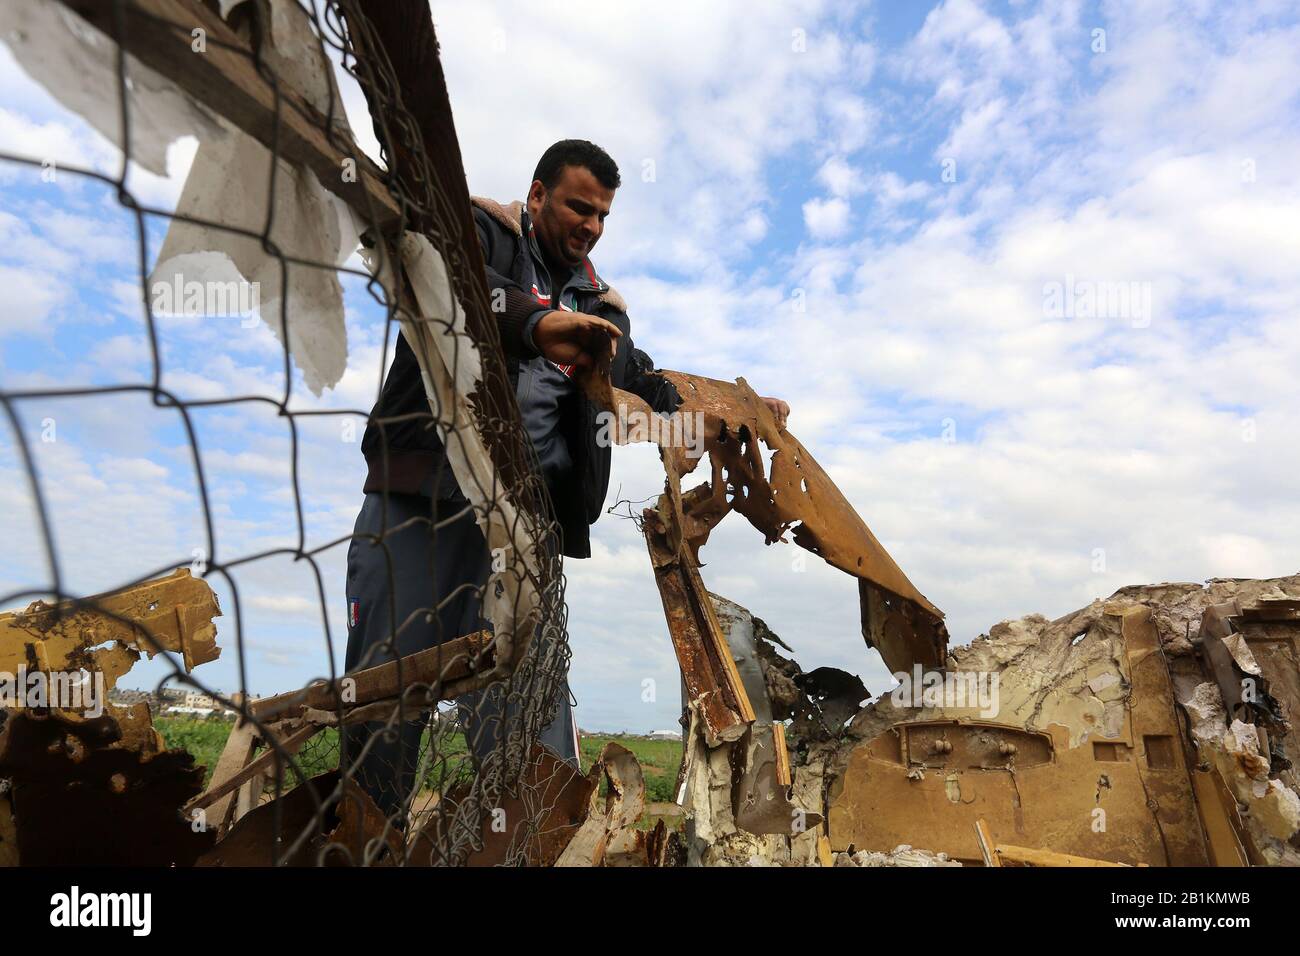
1028 275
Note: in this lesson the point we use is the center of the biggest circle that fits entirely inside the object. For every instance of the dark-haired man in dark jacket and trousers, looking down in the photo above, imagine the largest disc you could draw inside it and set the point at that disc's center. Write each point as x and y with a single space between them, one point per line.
556 317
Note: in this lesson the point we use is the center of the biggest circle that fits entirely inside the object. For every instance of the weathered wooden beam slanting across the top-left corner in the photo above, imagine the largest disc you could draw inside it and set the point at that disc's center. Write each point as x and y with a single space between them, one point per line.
226 80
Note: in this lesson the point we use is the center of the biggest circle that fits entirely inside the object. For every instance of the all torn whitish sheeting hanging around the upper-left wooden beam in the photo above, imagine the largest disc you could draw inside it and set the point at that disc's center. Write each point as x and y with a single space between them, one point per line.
229 180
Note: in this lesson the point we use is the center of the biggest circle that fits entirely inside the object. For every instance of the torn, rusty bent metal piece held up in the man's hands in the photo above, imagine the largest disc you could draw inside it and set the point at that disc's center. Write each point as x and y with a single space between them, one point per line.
736 775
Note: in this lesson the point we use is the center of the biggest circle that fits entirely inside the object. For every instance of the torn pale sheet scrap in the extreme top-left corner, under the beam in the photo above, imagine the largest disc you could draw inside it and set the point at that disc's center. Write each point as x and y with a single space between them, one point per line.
79 67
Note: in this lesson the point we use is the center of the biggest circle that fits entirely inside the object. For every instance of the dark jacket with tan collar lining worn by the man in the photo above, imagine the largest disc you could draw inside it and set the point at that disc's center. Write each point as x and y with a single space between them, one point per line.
557 416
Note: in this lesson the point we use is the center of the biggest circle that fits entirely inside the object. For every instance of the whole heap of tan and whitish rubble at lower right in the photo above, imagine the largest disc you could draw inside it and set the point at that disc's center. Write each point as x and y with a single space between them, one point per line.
1106 738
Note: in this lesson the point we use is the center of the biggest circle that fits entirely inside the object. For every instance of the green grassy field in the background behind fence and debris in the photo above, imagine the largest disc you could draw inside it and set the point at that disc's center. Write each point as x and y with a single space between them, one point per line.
206 739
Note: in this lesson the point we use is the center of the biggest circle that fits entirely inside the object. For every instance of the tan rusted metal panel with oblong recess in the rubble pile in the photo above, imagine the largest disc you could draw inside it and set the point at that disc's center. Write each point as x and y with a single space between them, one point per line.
1084 756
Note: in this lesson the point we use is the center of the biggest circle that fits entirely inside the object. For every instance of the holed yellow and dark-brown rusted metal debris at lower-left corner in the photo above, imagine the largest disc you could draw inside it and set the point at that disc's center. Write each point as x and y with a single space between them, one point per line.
101 788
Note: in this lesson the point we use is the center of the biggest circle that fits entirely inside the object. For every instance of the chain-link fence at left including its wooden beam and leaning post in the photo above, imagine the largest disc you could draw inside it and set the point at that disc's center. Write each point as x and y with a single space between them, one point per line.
465 769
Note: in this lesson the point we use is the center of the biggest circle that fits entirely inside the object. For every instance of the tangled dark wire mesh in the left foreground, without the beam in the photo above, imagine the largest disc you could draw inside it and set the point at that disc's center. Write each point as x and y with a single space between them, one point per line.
465 772
